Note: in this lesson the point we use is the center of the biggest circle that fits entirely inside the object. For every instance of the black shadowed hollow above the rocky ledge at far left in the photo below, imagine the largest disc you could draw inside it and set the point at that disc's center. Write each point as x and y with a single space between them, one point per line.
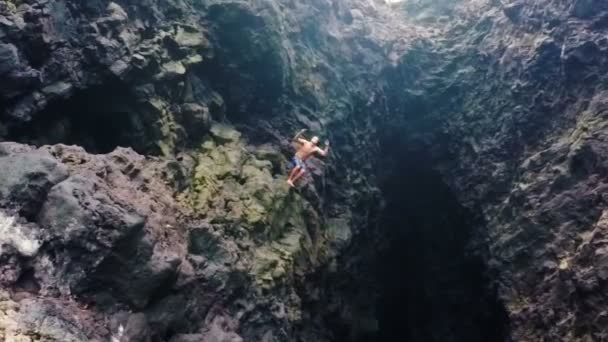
99 119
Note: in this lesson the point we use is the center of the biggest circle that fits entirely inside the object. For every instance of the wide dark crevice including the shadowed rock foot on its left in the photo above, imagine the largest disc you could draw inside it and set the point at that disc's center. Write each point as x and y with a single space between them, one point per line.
419 274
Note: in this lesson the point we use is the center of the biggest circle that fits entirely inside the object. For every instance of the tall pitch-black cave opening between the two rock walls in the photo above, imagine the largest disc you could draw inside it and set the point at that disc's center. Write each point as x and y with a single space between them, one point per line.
433 286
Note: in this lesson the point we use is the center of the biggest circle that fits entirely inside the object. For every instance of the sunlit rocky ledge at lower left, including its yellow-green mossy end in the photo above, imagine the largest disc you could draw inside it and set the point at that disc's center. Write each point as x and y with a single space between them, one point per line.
95 246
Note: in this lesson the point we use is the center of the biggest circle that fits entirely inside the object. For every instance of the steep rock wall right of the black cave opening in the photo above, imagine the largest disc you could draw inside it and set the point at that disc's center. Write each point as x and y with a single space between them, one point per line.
510 108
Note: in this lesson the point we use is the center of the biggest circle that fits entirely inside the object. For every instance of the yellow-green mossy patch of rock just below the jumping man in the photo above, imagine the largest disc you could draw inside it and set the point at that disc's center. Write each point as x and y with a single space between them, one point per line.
235 187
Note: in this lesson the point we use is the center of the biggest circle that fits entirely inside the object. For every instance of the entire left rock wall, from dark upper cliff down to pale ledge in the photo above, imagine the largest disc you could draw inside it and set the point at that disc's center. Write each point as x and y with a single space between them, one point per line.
201 239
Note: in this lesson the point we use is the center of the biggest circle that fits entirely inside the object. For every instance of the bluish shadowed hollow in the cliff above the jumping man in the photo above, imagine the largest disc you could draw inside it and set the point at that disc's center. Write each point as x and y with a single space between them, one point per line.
248 68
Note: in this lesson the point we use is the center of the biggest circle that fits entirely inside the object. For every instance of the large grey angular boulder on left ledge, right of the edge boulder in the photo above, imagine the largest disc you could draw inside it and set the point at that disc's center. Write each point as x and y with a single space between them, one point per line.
74 212
